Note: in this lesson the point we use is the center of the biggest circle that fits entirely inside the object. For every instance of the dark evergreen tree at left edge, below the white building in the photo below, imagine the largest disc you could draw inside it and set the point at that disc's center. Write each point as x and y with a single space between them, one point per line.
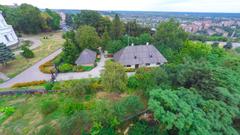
5 54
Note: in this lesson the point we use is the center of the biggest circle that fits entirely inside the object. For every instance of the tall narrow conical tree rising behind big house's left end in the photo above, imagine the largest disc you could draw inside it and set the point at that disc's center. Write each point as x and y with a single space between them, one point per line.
117 29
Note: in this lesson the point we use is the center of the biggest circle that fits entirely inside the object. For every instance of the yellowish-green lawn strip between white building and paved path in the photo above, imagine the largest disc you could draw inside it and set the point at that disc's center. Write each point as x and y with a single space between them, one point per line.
48 46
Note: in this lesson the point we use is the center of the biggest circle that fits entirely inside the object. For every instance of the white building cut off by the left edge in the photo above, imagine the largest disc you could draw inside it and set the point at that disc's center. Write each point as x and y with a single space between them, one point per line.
7 34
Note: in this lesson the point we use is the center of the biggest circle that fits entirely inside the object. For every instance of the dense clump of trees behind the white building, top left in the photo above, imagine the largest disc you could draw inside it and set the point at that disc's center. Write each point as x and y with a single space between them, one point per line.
29 19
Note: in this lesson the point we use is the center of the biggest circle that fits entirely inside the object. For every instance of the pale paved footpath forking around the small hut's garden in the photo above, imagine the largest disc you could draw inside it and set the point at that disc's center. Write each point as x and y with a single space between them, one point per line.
34 74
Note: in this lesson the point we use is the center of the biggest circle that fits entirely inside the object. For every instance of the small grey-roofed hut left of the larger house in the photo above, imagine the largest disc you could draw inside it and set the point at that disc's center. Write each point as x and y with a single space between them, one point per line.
86 58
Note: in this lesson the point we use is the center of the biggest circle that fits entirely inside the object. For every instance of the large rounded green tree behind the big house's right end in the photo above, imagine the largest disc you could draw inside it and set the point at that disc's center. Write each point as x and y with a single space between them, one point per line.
169 34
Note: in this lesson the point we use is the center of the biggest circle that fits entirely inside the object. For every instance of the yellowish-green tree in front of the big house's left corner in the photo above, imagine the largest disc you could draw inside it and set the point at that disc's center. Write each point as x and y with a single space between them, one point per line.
114 77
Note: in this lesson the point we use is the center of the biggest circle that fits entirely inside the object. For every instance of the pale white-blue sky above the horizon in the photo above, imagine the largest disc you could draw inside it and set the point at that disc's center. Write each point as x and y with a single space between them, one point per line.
226 6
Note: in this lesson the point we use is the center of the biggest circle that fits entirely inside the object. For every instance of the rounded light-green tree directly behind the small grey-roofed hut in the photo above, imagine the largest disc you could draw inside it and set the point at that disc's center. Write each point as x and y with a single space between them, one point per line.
87 37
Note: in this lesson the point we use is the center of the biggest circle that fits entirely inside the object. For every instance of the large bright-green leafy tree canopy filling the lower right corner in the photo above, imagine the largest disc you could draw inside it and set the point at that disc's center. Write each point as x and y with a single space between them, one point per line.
184 112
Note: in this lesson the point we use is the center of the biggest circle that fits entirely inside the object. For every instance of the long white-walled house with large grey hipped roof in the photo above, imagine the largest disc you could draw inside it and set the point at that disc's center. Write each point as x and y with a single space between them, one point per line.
139 56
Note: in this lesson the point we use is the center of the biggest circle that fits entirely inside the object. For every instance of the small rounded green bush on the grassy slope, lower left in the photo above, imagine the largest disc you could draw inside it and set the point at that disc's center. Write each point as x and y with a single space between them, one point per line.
48 107
